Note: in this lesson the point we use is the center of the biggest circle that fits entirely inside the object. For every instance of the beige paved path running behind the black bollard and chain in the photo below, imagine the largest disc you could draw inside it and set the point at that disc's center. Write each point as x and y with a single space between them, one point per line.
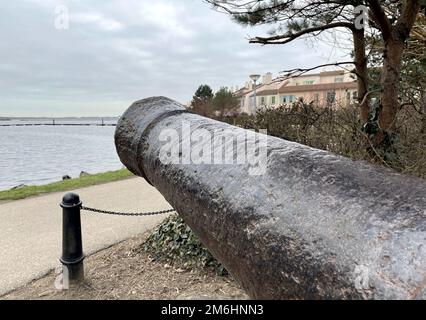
30 229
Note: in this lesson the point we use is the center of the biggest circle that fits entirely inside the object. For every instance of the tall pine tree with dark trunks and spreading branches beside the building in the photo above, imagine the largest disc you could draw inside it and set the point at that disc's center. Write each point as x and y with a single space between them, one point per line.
294 19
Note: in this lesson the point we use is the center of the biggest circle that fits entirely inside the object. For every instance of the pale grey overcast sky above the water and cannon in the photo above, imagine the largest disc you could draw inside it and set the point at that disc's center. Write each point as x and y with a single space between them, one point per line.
114 52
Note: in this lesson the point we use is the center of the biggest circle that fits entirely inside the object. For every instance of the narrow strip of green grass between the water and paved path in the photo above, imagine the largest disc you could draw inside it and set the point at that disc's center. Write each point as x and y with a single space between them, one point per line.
65 185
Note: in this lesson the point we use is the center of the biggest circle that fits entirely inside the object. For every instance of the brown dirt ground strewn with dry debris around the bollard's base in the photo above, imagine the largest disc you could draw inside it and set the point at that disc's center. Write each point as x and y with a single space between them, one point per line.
123 271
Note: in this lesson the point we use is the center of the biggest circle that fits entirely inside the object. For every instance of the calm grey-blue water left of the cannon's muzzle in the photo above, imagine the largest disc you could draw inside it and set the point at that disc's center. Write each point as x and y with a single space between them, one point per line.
36 155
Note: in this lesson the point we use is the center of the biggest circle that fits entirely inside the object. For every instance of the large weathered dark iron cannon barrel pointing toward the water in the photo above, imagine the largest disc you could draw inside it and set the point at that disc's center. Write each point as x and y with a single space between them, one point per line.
312 225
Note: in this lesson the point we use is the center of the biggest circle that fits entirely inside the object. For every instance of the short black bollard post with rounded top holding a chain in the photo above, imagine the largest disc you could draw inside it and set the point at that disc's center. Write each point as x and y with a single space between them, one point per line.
72 245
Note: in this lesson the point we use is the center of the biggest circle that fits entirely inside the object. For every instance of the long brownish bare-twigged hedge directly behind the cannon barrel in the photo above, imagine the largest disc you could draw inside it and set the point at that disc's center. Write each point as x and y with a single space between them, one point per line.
339 130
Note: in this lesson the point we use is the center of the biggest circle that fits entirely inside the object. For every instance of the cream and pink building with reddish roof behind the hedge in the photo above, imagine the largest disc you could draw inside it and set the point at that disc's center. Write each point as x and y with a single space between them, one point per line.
329 88
